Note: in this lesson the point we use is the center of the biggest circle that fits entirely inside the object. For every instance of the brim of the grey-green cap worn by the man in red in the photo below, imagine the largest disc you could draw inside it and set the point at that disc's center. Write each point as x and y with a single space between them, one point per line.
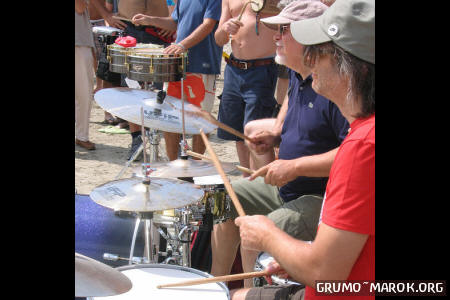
309 32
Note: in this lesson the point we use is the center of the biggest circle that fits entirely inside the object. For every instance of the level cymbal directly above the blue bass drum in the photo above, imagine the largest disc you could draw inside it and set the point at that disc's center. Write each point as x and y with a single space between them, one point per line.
130 194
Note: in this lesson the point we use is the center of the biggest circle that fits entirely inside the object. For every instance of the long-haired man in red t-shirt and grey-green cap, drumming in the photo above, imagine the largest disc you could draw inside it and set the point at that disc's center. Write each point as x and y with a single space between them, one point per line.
340 49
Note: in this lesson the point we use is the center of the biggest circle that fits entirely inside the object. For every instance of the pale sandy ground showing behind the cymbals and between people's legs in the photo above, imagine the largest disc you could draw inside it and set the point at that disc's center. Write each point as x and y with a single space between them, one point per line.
93 168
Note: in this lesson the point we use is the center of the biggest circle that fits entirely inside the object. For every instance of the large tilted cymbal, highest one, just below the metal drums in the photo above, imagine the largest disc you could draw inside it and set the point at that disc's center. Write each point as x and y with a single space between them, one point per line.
126 104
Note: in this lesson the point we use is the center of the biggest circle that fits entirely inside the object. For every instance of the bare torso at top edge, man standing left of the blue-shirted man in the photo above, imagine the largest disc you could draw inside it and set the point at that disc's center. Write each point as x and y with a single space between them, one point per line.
128 8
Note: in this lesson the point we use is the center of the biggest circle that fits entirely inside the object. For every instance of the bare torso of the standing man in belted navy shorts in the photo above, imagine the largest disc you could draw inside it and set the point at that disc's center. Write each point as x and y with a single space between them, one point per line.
246 44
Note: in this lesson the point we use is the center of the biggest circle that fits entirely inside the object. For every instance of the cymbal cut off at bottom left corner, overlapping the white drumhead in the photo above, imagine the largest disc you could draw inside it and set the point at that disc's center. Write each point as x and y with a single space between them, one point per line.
95 279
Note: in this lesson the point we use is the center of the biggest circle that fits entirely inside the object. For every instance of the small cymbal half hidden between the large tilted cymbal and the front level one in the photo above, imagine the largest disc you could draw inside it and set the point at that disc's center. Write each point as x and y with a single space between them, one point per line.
183 168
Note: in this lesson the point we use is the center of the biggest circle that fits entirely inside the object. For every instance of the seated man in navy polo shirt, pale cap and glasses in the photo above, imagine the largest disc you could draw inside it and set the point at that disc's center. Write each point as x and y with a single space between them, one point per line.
309 130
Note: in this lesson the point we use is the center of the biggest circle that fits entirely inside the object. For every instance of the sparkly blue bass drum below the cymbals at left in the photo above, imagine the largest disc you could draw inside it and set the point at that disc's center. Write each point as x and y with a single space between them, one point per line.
99 230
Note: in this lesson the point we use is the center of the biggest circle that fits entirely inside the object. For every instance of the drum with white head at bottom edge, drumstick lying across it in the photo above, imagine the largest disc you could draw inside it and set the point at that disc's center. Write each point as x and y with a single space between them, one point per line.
146 277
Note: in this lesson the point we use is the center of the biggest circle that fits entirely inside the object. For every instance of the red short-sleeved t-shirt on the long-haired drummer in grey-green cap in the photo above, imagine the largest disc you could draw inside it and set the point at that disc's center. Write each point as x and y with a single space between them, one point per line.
349 202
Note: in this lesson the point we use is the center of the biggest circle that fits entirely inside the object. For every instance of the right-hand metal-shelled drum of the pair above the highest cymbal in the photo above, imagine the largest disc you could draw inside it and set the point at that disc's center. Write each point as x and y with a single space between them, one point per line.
150 64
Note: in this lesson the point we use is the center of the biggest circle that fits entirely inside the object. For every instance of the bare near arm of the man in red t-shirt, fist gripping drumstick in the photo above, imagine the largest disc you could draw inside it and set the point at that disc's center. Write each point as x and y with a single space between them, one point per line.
330 257
